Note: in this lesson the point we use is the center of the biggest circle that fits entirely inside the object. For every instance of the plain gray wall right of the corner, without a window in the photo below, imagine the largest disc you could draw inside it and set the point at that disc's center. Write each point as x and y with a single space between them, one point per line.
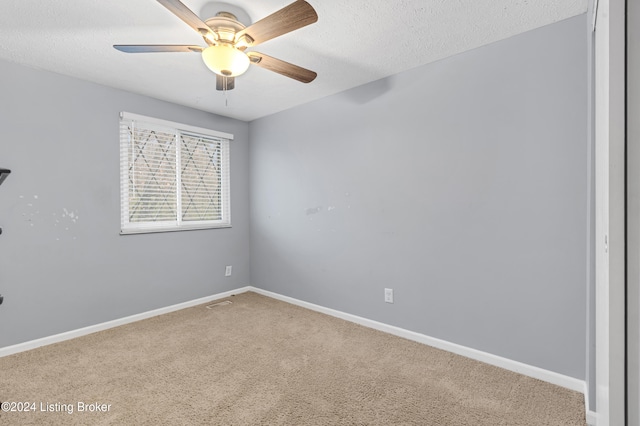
462 185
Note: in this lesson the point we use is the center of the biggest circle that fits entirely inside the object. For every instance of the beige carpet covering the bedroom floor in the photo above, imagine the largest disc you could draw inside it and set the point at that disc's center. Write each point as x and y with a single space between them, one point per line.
259 361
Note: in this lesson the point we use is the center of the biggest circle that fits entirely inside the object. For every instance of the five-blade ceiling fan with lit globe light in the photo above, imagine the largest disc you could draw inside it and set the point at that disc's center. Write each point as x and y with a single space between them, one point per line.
228 39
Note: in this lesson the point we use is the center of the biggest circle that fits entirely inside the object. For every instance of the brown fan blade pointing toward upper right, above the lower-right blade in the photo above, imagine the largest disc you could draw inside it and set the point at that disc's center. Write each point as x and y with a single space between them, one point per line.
290 18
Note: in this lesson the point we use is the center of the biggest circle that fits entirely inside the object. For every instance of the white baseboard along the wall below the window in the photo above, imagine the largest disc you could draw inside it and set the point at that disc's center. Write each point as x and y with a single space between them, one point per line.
21 347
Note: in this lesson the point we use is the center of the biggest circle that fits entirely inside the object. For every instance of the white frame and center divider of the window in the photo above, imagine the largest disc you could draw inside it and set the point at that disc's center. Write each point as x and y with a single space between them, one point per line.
127 227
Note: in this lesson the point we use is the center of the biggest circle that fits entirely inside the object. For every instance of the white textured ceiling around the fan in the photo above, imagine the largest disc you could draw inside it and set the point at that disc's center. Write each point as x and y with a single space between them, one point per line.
354 42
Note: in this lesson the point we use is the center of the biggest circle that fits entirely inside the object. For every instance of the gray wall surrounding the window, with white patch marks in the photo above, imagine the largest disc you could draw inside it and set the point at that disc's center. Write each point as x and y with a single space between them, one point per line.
60 138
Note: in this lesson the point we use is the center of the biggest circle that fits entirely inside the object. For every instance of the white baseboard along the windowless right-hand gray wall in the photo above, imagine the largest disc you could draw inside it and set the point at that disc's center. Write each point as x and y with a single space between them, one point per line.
508 364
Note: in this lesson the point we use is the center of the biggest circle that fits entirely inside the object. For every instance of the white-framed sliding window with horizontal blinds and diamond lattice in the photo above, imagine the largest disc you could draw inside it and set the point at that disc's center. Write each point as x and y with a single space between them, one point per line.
172 176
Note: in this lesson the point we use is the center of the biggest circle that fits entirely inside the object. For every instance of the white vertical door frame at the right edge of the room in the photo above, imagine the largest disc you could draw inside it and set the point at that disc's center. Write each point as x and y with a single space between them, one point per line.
610 237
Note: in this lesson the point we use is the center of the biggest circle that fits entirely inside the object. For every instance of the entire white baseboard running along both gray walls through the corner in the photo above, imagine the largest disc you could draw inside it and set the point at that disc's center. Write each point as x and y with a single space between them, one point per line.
515 366
